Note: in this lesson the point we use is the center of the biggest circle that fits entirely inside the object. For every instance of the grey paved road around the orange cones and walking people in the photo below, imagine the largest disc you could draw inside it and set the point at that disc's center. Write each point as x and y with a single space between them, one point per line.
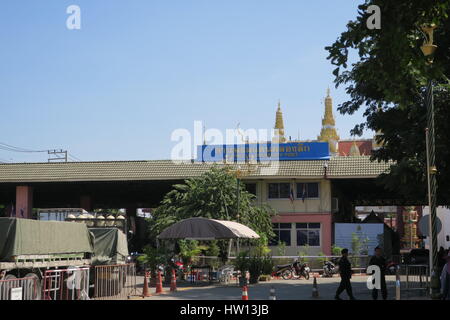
285 290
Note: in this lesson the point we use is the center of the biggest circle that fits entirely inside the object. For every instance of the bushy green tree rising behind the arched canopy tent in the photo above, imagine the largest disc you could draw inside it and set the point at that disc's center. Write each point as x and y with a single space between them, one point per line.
212 195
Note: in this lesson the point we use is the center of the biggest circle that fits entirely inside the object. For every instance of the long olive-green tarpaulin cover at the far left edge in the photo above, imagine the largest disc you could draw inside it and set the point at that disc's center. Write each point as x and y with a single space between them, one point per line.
19 237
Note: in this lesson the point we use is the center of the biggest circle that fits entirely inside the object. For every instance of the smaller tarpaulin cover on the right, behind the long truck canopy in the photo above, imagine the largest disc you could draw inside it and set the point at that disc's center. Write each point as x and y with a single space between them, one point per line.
110 246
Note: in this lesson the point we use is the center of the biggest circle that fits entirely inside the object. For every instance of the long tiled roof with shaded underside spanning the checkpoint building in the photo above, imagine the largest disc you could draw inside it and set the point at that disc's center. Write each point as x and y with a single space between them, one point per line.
143 184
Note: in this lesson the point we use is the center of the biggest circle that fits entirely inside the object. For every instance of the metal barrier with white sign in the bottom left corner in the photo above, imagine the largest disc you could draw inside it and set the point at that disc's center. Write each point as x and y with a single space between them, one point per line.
20 289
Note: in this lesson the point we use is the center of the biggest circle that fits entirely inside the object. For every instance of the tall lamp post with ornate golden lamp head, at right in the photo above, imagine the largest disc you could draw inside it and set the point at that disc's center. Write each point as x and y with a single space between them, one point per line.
428 50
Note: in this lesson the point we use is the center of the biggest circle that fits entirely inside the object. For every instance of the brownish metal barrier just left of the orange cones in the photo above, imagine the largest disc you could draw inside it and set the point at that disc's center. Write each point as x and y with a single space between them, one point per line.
114 281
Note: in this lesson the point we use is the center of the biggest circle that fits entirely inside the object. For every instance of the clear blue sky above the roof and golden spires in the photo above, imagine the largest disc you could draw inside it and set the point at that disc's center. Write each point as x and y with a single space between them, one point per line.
138 69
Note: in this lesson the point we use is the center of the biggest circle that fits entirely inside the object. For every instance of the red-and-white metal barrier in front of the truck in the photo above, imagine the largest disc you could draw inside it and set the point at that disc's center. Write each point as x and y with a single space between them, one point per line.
66 284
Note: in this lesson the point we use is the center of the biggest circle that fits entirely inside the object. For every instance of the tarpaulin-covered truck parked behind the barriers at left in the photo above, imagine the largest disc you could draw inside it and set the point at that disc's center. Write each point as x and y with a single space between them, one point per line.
30 247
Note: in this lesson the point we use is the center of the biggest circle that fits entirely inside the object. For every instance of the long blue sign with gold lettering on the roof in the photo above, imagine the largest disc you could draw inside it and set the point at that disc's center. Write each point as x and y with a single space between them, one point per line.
264 152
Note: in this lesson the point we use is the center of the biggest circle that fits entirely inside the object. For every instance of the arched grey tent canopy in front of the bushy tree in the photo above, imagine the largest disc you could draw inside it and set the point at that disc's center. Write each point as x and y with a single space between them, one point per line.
207 229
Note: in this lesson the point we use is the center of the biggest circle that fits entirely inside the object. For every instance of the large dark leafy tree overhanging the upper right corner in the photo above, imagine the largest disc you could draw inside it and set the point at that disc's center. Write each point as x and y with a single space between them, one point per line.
388 79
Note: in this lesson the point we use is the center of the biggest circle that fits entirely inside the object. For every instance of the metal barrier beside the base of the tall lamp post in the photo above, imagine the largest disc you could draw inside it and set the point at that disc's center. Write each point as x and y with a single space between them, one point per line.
412 281
